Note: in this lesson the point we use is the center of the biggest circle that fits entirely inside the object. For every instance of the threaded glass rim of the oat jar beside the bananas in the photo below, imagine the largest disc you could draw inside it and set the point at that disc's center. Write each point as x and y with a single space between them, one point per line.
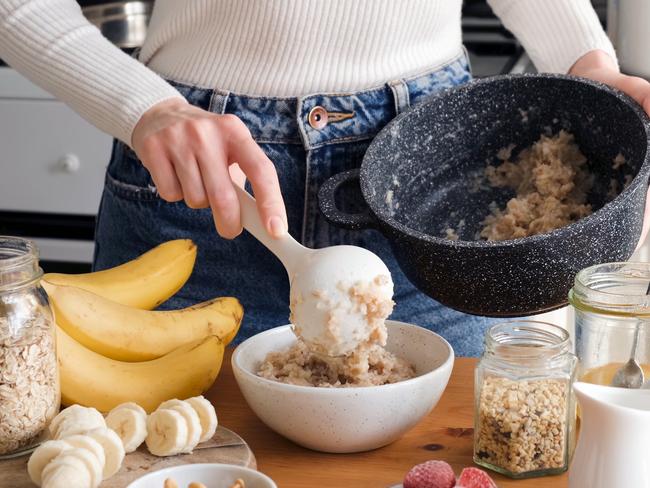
19 257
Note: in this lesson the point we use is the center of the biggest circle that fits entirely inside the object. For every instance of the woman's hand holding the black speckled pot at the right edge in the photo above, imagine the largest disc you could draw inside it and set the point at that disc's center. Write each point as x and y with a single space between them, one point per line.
598 65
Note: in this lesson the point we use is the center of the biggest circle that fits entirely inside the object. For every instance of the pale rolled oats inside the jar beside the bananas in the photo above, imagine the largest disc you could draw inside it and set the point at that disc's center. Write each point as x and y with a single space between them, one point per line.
29 384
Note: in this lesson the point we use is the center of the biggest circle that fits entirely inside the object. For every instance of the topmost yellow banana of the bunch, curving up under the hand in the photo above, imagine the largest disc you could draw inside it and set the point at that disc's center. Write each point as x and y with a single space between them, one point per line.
145 282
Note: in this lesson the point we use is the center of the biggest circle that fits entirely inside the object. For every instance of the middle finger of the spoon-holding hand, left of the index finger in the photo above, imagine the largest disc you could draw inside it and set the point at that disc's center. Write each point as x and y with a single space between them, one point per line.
220 192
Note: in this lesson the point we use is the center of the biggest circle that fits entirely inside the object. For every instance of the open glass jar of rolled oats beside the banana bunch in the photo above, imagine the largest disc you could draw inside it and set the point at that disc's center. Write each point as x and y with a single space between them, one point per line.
29 381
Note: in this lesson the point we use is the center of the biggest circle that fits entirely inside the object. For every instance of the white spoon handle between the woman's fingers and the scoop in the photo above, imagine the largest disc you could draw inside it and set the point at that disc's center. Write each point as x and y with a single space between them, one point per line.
289 251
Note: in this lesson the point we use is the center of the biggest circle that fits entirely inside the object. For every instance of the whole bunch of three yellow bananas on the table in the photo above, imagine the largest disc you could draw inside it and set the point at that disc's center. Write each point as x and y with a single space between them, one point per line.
112 349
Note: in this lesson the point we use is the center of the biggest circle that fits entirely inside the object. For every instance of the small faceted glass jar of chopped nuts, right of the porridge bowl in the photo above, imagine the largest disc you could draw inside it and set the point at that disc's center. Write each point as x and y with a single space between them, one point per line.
524 409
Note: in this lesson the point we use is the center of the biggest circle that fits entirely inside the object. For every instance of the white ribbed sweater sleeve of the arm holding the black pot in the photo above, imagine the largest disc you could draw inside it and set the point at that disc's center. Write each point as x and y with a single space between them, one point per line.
555 33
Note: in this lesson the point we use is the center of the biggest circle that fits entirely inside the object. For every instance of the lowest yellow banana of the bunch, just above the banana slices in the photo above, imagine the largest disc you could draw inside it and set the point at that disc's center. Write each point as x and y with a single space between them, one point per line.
92 380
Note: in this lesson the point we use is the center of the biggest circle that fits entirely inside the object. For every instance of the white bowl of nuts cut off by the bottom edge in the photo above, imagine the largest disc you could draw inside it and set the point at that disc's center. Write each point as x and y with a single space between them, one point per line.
212 475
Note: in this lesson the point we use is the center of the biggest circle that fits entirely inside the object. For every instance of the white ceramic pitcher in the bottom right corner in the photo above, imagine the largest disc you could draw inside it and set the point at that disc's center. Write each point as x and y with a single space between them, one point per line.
613 449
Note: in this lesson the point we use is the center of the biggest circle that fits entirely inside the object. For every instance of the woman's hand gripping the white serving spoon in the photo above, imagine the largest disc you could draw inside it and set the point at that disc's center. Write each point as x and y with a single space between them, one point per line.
194 155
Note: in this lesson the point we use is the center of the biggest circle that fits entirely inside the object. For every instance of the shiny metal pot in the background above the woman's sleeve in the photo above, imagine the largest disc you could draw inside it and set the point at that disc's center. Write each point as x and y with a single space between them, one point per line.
122 23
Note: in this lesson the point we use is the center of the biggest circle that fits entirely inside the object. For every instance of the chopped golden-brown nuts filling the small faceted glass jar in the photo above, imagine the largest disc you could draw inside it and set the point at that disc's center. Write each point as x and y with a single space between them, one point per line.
522 424
